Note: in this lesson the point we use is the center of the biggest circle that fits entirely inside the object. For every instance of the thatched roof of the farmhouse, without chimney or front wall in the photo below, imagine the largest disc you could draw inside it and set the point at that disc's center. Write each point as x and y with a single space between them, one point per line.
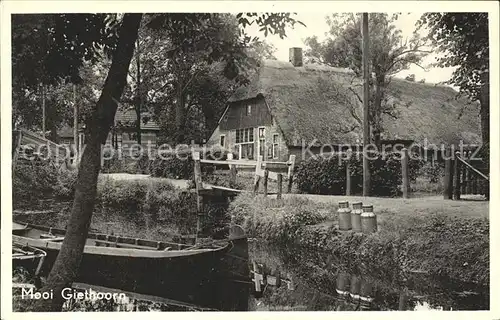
311 102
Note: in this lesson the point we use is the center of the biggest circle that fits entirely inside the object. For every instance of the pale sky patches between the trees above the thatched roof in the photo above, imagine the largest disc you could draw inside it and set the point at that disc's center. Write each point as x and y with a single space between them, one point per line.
316 25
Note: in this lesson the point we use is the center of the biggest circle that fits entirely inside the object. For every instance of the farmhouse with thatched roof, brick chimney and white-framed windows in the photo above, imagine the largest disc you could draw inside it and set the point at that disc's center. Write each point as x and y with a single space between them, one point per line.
288 104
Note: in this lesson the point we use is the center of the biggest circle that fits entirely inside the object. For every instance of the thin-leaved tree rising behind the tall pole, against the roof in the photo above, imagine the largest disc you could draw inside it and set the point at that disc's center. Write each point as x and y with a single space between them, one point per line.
388 55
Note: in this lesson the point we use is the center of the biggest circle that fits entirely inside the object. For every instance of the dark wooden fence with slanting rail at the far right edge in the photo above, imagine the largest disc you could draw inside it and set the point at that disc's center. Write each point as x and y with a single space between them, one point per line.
463 176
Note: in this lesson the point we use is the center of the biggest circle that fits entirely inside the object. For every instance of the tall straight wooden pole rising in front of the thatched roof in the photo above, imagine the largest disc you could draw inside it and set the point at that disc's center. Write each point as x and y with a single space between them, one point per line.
366 98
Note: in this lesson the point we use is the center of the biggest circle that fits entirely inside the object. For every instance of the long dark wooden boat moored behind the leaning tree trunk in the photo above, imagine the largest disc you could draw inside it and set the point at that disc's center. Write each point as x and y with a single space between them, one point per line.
184 272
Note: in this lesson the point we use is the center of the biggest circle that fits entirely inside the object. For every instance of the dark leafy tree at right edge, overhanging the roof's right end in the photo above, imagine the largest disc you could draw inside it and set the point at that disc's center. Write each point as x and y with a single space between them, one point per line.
462 40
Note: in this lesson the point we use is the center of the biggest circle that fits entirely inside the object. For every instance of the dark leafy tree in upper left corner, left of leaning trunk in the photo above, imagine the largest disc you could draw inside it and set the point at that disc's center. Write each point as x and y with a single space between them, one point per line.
49 54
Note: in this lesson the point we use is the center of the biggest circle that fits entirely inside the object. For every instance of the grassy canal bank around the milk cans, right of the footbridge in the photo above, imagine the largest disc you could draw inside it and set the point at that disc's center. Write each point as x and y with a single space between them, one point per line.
435 238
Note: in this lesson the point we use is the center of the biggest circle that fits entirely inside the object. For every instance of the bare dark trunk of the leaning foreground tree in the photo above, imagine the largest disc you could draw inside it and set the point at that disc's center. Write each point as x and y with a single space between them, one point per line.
65 269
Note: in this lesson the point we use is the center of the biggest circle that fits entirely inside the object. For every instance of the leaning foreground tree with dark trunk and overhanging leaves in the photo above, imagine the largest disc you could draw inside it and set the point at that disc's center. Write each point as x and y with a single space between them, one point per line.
79 45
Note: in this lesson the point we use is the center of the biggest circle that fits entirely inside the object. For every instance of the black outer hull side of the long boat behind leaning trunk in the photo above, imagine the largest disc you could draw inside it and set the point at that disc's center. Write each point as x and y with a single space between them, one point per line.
185 278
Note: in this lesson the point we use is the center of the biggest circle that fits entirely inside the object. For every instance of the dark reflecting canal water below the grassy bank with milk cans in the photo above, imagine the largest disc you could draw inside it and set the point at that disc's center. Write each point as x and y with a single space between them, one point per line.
331 288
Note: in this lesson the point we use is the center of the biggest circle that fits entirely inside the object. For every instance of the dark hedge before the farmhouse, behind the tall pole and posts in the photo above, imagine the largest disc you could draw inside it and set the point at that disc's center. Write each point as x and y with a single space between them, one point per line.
328 175
